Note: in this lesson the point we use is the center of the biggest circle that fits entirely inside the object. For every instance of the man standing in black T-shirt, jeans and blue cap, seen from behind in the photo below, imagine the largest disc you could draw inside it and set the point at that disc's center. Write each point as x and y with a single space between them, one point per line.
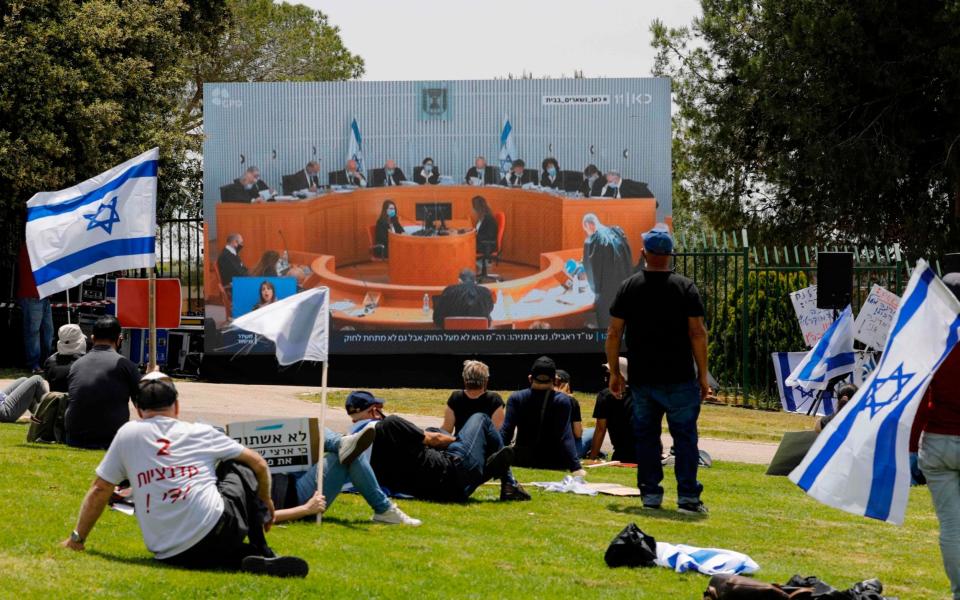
665 333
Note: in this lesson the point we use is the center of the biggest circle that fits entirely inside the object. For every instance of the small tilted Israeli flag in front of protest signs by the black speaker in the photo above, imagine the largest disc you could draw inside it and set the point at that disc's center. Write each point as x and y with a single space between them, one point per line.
832 356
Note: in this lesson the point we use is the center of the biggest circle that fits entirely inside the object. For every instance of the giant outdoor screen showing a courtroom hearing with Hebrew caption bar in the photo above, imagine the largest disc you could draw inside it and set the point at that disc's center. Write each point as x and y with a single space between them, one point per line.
455 217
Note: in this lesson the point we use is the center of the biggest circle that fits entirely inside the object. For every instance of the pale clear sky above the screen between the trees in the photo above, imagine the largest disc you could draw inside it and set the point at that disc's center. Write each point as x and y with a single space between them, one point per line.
455 39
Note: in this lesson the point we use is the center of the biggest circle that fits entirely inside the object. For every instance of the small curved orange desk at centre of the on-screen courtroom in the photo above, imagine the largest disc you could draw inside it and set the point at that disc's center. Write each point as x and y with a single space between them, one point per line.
433 260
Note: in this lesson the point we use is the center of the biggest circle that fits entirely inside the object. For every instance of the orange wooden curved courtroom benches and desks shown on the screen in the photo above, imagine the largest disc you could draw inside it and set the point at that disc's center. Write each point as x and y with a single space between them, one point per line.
542 231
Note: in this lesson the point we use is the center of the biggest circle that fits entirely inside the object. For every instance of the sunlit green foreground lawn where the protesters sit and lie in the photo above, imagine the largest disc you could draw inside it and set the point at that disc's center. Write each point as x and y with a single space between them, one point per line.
550 547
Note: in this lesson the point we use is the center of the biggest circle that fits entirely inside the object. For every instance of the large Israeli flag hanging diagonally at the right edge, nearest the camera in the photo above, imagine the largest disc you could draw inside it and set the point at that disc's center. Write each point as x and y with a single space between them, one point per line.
859 462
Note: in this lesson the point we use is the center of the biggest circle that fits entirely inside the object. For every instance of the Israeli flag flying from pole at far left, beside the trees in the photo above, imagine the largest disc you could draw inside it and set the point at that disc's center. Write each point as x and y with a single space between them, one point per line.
105 224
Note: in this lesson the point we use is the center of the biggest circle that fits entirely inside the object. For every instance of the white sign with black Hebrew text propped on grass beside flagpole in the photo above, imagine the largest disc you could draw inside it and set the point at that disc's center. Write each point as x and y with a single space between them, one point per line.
288 445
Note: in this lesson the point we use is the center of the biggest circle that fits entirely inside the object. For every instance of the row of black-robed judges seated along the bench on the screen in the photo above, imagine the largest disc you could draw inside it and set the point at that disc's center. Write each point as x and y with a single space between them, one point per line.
589 183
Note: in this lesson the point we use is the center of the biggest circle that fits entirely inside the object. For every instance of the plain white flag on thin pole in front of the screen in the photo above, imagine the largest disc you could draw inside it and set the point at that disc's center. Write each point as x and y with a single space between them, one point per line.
297 325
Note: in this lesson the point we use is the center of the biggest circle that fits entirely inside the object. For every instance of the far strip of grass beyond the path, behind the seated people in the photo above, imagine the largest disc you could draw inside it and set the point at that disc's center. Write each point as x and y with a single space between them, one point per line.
716 420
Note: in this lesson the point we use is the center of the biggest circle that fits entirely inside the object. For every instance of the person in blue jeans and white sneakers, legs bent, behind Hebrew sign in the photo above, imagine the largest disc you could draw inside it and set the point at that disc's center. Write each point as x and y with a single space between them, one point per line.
296 496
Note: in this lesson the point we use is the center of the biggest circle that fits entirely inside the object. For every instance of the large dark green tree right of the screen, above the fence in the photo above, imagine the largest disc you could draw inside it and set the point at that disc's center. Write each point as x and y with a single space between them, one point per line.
817 120
